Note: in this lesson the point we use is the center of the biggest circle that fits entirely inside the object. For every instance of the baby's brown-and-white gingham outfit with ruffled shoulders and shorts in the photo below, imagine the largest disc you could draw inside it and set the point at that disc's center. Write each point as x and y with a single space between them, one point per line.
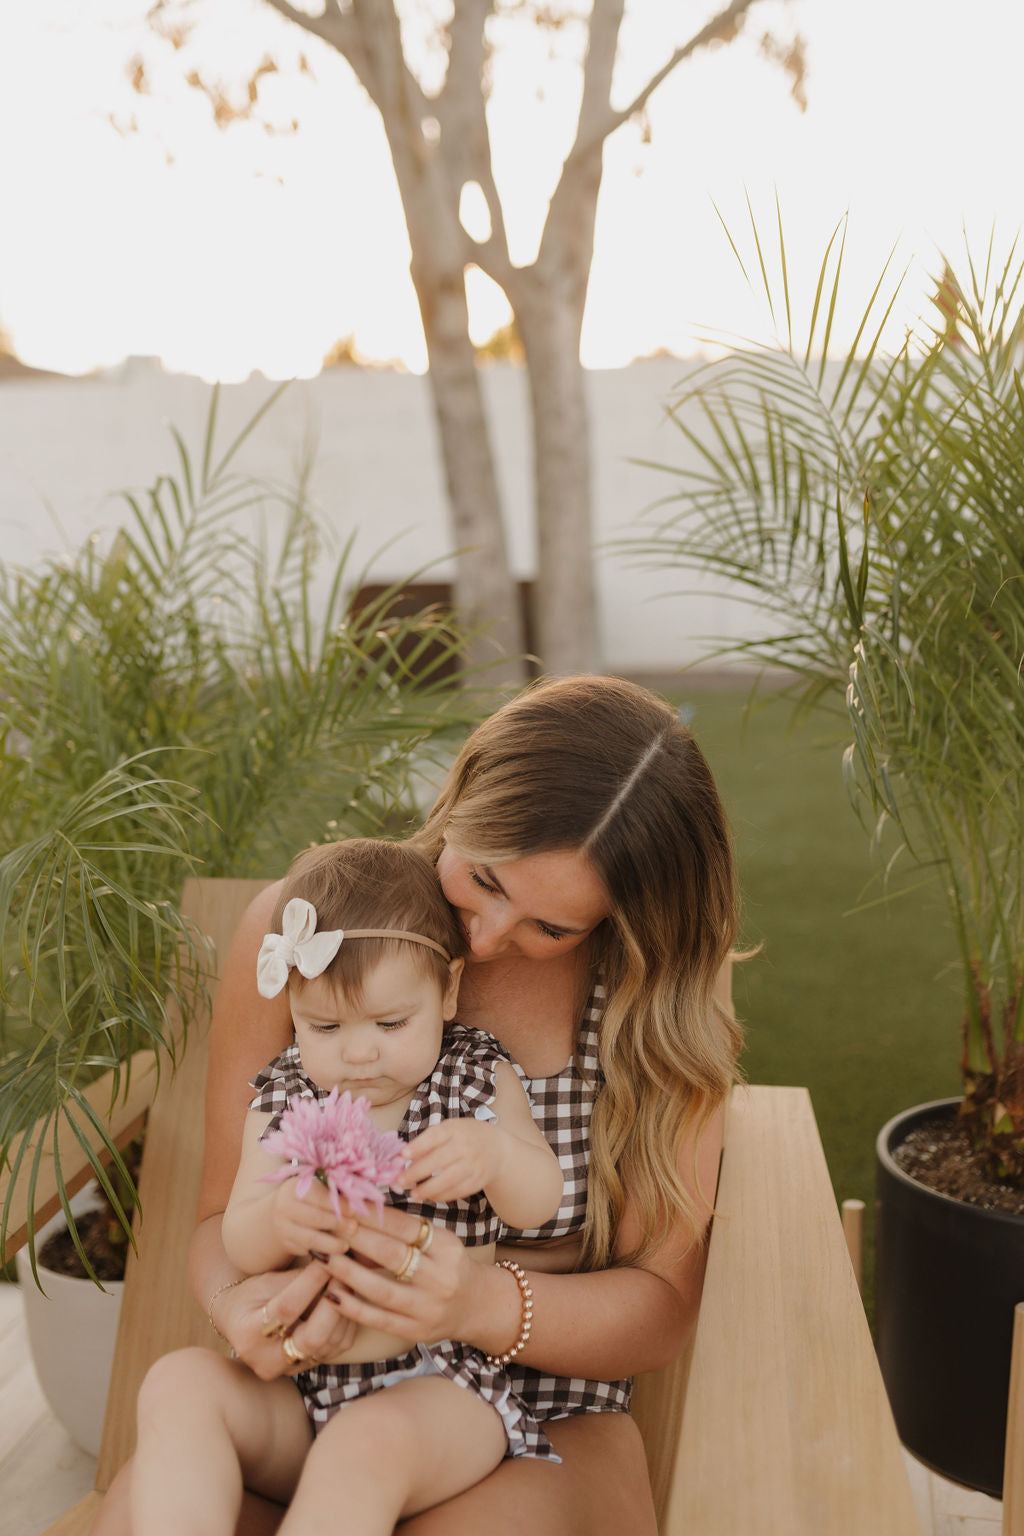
463 1084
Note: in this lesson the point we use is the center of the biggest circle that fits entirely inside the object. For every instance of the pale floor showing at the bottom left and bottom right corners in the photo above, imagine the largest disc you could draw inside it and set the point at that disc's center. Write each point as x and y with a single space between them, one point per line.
44 1474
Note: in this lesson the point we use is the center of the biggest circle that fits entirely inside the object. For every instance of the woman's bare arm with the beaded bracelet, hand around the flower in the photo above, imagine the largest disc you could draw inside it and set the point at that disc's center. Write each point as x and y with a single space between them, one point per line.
604 1325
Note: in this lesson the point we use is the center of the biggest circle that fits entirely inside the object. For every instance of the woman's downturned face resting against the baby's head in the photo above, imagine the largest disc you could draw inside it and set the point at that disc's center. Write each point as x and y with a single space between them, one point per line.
540 907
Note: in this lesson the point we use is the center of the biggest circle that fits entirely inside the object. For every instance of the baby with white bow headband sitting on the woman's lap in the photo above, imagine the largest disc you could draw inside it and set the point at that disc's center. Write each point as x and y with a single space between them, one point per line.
368 948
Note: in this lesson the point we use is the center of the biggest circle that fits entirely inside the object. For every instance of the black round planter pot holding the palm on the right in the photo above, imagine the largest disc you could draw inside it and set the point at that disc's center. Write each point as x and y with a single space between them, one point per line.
948 1280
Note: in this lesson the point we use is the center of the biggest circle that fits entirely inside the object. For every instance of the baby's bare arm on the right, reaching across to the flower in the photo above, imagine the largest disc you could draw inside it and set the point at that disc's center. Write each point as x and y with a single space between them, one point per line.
506 1157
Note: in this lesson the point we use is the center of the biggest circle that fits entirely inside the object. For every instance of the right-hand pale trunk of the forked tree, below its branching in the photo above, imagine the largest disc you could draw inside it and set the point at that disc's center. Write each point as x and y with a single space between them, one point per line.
566 607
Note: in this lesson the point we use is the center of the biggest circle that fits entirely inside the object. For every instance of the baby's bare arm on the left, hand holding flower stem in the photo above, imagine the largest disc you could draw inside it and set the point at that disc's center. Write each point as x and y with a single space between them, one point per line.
266 1225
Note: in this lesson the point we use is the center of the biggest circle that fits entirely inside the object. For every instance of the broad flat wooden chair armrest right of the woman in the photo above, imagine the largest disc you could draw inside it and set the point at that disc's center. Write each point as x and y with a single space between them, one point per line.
787 1428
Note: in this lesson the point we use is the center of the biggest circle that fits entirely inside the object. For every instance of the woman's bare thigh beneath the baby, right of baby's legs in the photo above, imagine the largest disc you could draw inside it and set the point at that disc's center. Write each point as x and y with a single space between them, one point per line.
601 1489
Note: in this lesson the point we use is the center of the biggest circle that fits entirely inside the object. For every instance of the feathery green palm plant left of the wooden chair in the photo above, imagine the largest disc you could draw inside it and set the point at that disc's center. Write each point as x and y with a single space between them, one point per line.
197 694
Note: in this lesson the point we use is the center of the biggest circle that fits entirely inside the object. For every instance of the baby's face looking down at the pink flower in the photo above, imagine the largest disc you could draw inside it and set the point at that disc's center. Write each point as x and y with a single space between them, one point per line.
383 1047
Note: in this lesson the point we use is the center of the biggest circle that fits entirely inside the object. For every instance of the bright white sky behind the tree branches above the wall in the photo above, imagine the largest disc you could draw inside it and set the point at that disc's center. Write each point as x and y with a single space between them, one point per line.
225 253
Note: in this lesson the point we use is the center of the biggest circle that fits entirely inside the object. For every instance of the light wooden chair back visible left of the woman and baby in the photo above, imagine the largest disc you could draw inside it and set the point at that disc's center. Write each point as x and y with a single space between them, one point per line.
159 1313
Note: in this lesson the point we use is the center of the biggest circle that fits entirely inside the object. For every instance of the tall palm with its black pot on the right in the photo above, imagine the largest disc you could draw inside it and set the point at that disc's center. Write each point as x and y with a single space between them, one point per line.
871 508
